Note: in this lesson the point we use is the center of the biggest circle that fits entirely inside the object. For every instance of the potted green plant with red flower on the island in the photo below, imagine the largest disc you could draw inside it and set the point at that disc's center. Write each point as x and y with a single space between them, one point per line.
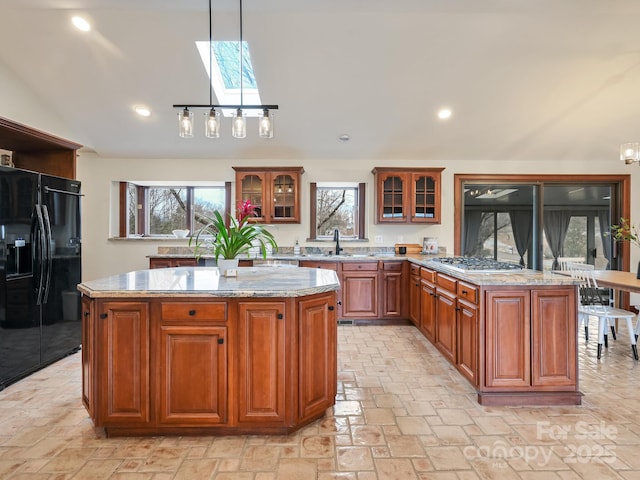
229 242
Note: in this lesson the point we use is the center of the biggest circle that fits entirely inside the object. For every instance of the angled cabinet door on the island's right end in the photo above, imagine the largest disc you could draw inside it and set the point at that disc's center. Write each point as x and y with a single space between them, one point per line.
317 339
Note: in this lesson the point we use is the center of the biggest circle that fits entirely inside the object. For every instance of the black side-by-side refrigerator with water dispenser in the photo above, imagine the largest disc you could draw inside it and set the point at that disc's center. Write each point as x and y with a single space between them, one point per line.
40 252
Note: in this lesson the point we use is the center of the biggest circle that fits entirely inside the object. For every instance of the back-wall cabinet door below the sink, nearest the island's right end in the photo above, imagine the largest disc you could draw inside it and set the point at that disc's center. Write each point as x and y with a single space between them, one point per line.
359 294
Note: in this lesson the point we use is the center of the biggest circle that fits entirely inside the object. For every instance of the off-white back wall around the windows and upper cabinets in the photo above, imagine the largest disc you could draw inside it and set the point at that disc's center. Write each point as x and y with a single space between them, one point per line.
104 256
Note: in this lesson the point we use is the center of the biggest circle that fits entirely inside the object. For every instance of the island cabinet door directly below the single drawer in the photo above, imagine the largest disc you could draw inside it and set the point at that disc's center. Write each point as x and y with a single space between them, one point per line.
192 375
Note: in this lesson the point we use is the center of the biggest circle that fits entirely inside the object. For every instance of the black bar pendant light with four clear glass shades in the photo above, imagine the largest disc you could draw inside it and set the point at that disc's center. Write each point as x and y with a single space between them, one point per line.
212 116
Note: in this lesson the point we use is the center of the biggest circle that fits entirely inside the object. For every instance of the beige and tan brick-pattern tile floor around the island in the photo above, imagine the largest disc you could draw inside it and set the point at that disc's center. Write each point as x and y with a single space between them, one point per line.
402 413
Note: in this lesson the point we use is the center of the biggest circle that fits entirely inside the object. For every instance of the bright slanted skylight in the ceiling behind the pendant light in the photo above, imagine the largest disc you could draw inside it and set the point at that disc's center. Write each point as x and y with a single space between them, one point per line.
225 77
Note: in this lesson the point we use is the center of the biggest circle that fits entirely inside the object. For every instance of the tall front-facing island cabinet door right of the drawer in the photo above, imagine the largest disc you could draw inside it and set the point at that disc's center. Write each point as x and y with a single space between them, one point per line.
261 361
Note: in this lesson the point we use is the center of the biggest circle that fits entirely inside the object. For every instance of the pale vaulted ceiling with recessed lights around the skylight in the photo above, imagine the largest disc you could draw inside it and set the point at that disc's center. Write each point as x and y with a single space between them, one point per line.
541 80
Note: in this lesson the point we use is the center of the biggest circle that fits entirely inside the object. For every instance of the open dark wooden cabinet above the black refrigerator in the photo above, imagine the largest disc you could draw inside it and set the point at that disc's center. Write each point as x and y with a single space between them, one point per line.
38 151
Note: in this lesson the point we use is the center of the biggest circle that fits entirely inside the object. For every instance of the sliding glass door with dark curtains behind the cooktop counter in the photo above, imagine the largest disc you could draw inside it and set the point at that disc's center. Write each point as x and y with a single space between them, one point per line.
537 223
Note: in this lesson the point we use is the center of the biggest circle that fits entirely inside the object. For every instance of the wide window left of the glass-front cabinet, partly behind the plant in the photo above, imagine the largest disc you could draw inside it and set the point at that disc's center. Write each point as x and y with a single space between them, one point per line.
155 210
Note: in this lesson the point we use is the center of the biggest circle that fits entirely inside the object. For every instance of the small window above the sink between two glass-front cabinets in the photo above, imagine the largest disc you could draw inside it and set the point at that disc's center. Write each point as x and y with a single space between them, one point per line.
340 206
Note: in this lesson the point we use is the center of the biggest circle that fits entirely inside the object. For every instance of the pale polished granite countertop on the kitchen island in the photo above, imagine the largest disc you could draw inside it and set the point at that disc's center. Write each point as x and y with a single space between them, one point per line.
207 282
